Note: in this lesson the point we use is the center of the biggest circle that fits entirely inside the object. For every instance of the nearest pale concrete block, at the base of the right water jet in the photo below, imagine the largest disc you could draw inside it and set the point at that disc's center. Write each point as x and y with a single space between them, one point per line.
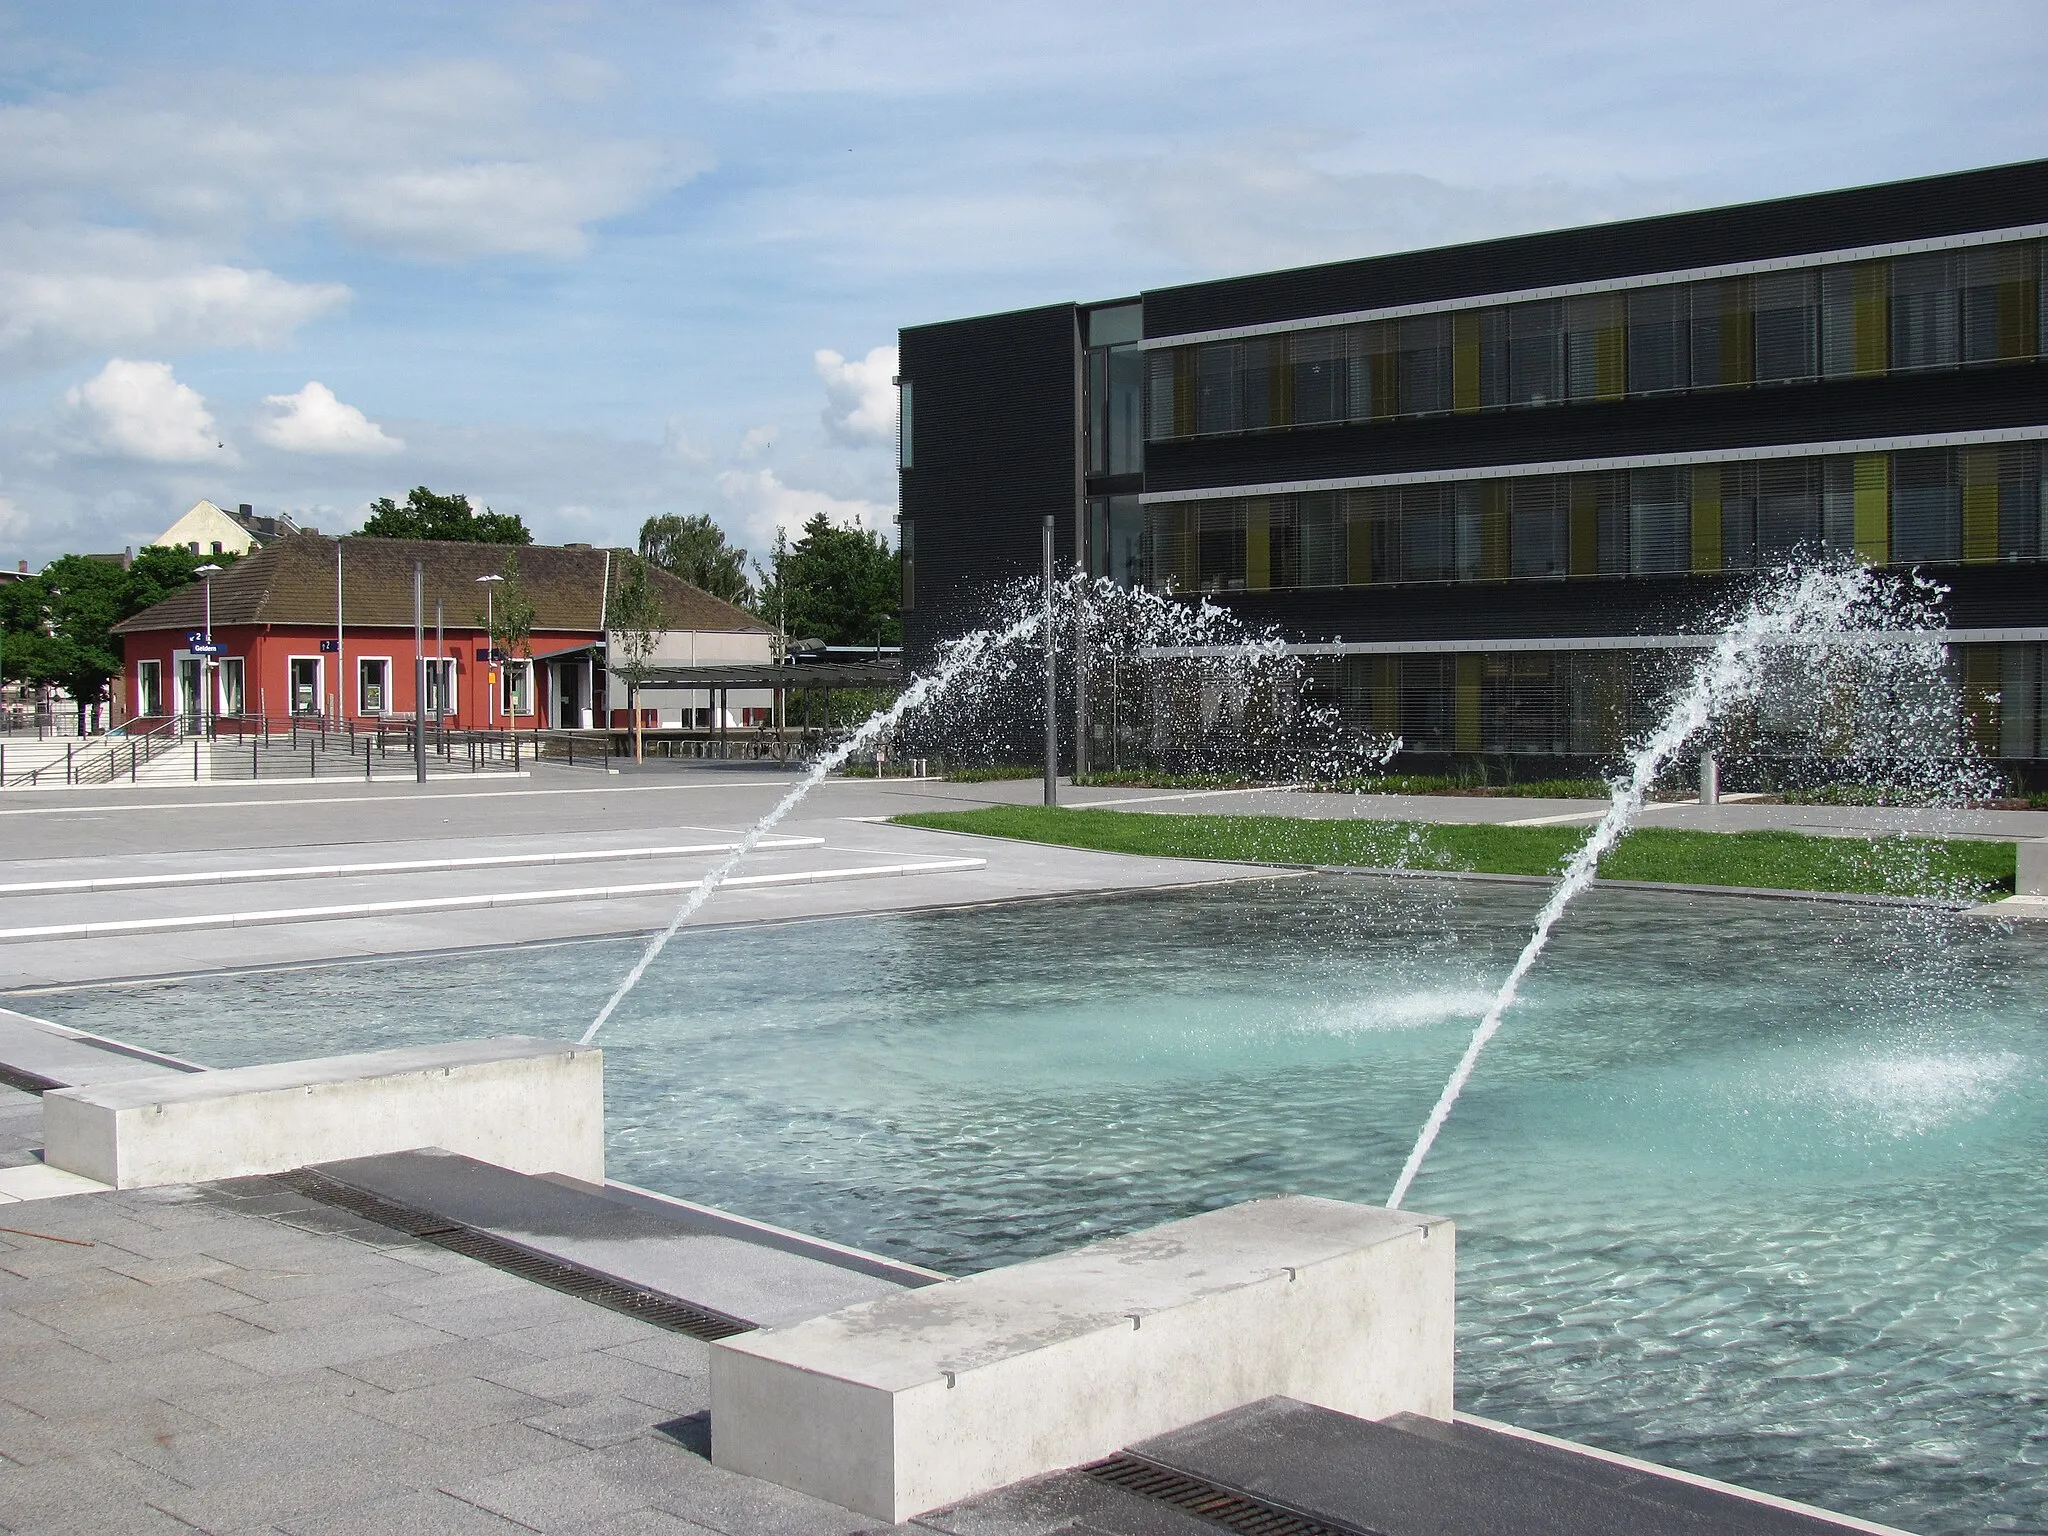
933 1396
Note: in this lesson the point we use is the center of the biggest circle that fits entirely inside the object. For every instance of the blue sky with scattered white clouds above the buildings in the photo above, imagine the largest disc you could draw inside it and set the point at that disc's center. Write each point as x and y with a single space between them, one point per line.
595 263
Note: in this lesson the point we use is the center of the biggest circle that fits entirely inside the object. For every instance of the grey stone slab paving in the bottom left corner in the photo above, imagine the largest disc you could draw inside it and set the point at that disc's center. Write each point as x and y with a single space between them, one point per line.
212 1363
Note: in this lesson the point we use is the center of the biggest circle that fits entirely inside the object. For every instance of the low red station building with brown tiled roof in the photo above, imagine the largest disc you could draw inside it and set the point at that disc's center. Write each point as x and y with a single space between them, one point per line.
321 628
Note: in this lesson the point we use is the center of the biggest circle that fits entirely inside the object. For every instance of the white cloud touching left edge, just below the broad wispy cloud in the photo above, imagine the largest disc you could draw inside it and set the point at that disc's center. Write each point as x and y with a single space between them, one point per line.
69 294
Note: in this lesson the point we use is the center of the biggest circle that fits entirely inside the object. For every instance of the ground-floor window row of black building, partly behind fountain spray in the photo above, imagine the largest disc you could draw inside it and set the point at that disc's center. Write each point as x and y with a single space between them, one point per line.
1594 703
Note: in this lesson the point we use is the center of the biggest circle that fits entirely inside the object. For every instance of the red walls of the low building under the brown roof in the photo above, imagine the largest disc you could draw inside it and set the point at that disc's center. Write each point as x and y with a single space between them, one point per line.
267 652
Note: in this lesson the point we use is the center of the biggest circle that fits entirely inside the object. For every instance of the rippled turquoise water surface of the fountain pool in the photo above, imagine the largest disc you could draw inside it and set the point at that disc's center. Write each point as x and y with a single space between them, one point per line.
1746 1187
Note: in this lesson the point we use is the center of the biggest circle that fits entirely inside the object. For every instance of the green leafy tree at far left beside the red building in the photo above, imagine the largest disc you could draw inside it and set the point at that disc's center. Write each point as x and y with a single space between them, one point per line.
60 622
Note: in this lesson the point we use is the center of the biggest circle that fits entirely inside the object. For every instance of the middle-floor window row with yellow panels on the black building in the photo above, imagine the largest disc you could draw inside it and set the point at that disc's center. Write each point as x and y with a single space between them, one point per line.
1887 509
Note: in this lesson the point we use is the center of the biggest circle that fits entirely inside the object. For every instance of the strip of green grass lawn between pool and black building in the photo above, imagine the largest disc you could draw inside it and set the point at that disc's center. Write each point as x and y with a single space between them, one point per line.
1783 861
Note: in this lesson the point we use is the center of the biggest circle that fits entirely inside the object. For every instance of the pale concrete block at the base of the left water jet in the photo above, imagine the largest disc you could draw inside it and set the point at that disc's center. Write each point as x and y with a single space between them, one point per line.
517 1101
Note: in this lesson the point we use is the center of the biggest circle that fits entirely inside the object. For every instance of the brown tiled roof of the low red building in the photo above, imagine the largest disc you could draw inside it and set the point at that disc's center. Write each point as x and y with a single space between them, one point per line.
292 583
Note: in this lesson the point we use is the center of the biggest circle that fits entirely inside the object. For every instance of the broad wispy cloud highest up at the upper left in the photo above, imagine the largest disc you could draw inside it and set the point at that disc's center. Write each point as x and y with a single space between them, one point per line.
439 163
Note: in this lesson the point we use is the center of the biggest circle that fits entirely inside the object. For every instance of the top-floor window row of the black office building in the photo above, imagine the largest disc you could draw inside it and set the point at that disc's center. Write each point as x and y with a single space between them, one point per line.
1902 314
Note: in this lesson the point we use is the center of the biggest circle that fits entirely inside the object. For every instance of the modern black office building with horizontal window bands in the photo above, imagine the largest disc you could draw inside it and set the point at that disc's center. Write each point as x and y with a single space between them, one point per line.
1494 490
